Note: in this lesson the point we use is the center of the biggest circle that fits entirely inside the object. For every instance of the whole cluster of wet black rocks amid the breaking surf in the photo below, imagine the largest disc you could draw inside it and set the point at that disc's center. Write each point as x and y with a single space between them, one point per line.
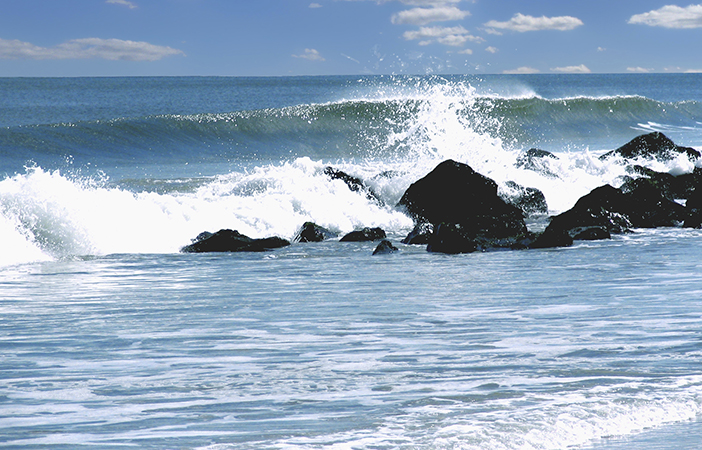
457 210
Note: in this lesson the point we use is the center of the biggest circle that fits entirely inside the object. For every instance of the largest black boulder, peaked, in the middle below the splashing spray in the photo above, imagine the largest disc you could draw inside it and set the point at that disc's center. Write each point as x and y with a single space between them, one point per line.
454 193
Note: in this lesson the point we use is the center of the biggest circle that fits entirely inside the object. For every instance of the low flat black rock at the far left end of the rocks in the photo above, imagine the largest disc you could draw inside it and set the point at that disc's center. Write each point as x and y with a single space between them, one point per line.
231 241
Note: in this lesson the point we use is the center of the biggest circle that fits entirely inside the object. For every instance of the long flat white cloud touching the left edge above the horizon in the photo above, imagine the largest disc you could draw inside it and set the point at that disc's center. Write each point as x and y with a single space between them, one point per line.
111 49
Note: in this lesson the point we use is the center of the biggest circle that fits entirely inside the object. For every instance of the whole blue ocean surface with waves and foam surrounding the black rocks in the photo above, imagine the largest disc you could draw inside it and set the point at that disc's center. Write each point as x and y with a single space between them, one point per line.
110 338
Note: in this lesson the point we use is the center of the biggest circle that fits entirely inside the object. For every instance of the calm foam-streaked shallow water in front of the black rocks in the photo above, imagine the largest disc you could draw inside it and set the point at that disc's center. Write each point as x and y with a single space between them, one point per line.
517 350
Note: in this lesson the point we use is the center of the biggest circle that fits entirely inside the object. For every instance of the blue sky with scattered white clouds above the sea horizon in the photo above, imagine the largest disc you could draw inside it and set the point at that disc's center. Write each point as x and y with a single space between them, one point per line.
347 37
